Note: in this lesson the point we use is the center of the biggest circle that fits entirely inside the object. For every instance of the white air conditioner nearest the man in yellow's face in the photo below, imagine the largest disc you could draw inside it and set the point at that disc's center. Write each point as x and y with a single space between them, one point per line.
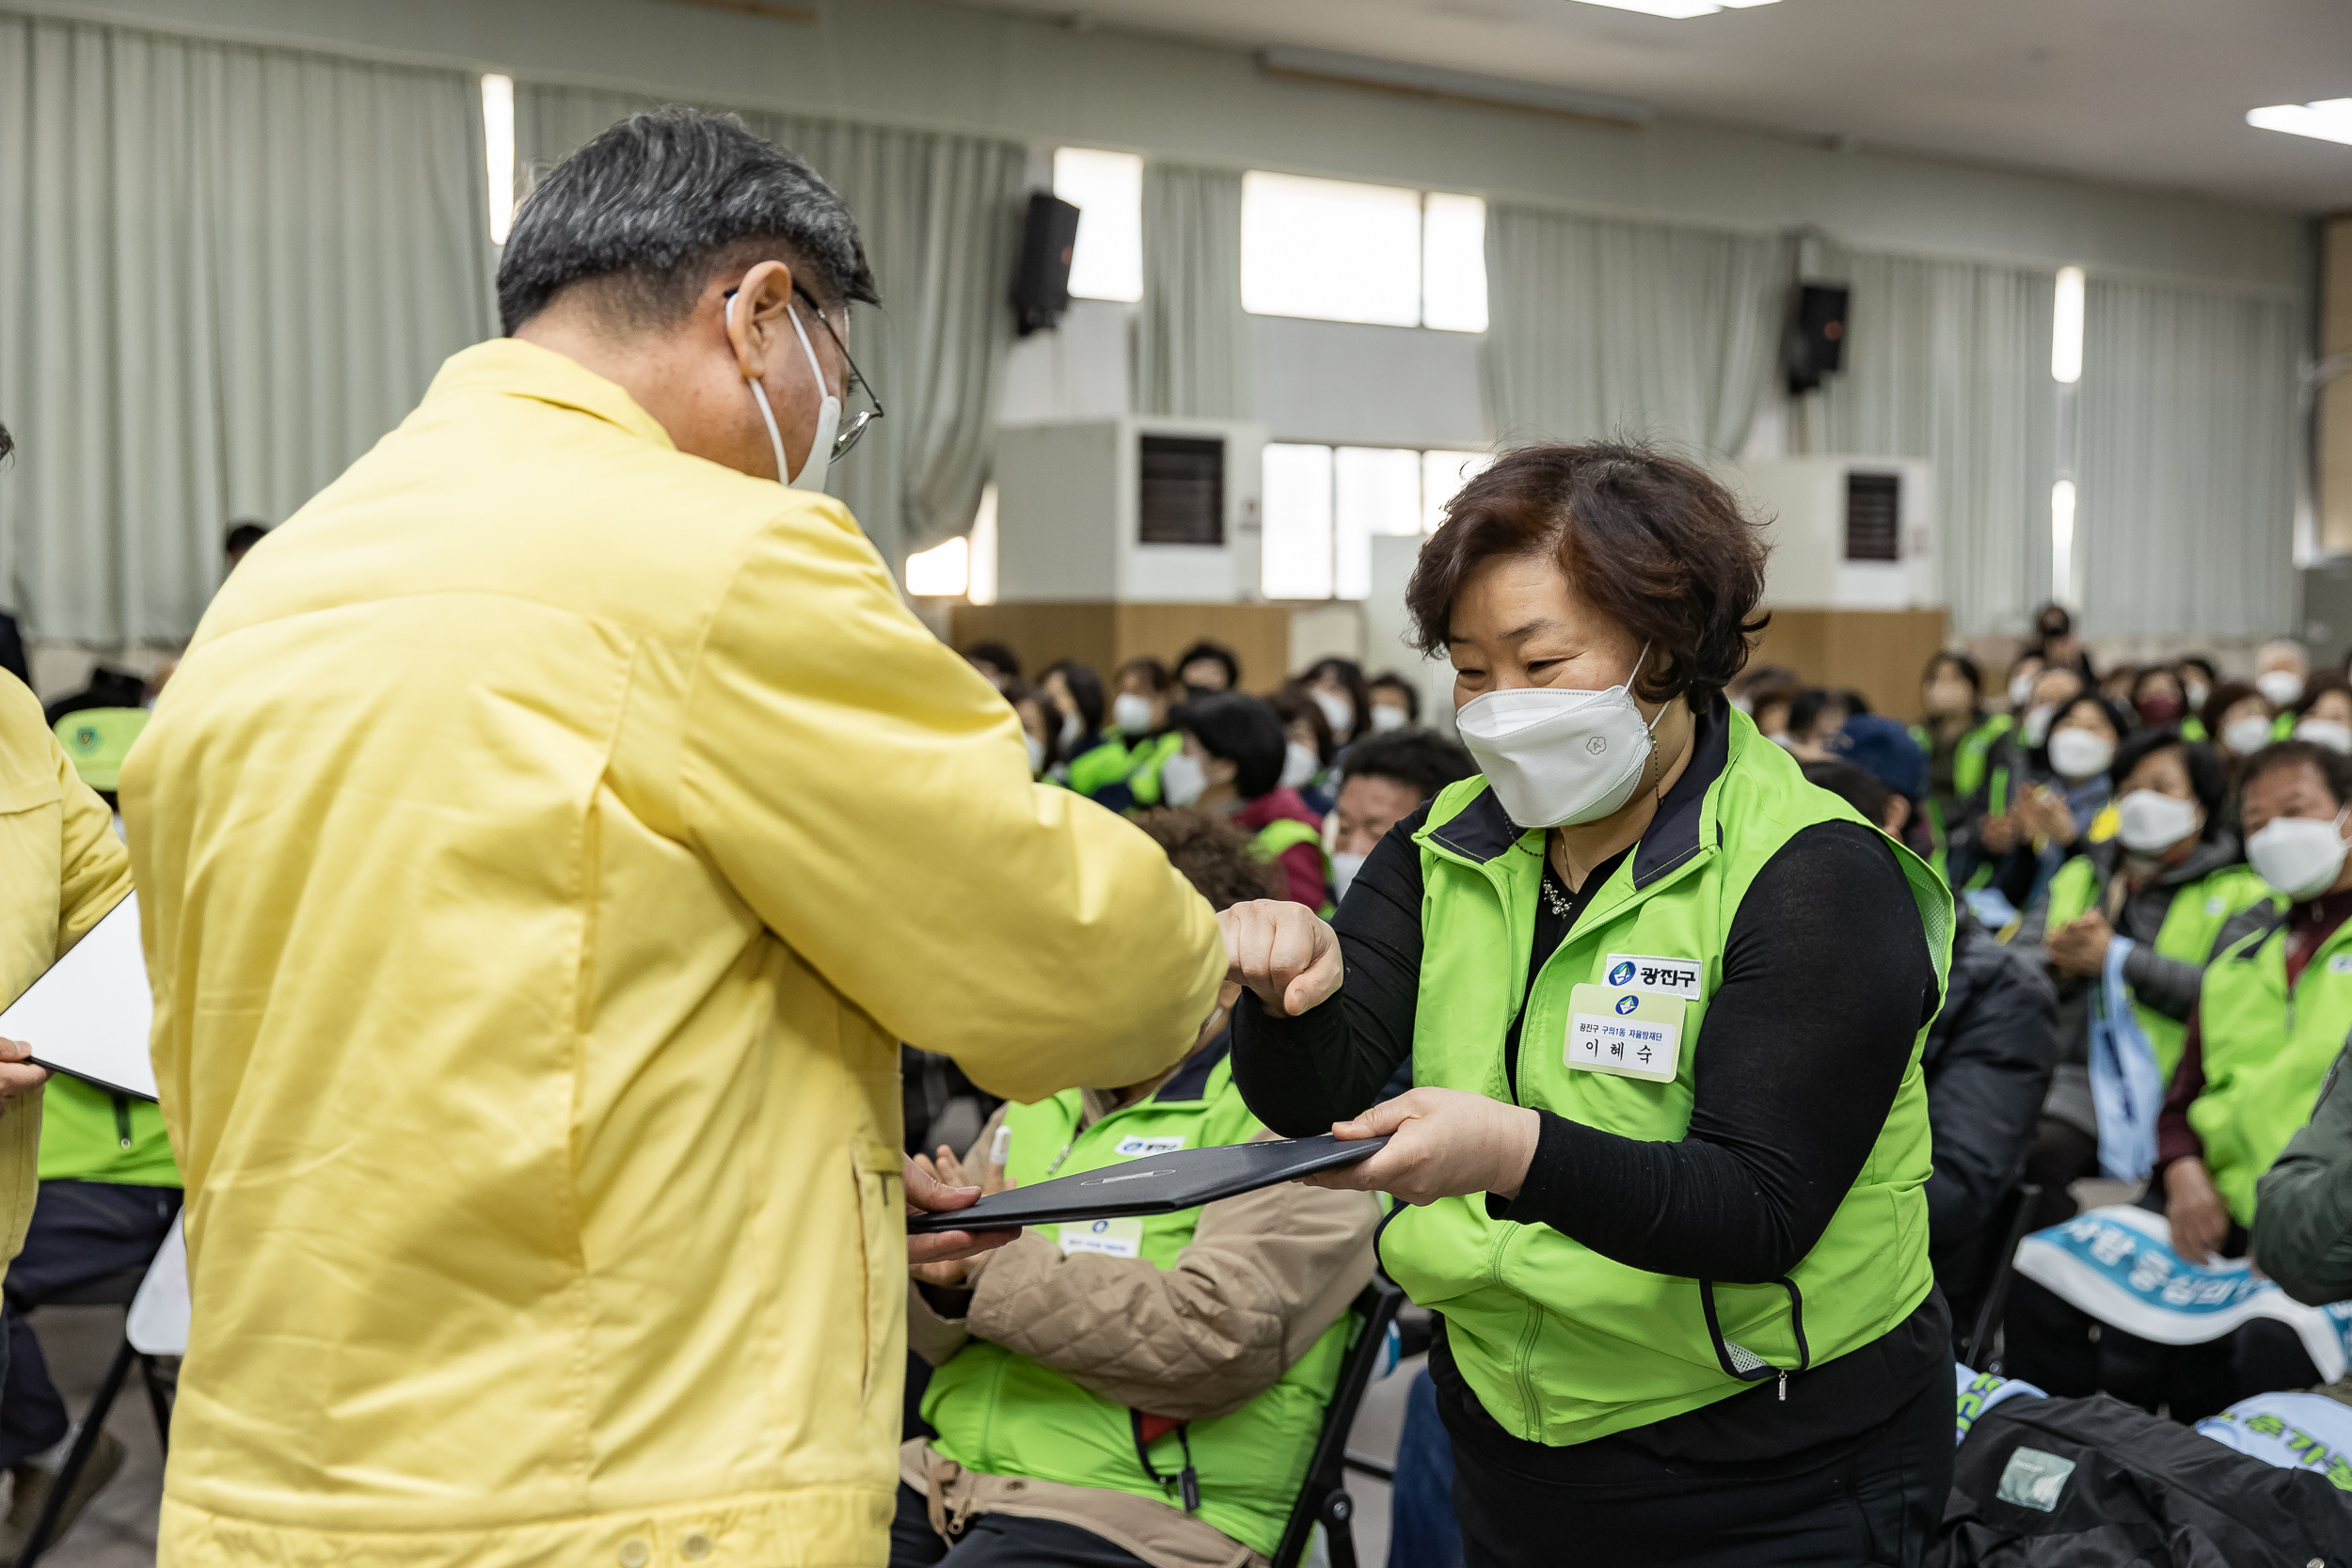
1144 511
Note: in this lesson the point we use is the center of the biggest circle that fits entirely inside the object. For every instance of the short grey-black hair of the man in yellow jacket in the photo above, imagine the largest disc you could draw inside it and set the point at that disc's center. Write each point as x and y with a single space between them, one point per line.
660 203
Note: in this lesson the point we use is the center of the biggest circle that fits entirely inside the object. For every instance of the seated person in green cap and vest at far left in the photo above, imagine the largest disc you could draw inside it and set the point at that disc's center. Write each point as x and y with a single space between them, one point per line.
107 1200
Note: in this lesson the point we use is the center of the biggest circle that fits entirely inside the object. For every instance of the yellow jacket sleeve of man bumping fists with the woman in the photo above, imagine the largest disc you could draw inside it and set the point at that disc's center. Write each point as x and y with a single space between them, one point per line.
869 798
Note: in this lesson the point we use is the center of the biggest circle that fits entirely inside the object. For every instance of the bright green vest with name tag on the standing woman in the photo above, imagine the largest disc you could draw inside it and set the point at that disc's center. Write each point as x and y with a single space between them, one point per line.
1561 1343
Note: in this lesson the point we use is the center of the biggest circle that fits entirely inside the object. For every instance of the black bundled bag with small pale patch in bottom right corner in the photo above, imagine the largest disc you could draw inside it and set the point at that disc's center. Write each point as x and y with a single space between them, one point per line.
2102 1485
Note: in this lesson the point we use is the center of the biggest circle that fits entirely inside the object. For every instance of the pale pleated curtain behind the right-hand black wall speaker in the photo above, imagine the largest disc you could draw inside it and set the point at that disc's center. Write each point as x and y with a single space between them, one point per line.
1951 361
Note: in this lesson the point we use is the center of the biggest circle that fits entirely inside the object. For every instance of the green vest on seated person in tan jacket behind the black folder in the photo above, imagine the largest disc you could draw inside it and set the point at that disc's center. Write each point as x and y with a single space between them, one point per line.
1008 1416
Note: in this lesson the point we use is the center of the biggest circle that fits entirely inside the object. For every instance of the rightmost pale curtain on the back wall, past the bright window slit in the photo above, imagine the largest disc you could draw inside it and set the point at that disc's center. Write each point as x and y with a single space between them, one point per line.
2191 438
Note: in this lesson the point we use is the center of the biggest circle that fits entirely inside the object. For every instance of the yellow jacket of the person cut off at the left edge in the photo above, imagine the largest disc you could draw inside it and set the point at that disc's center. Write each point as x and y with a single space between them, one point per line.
60 871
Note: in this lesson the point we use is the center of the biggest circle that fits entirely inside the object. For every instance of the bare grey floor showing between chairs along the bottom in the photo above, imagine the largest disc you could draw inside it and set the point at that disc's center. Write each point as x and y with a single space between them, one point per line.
119 1529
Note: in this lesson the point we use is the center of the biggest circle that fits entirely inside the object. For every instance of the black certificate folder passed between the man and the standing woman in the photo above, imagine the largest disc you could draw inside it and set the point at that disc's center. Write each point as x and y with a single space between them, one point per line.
1154 1184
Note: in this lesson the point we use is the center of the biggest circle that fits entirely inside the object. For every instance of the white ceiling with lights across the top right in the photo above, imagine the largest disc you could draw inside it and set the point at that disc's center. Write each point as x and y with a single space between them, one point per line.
2151 93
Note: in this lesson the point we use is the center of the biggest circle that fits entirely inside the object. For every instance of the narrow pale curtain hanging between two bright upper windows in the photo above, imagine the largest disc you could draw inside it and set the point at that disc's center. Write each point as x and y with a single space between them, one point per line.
1191 333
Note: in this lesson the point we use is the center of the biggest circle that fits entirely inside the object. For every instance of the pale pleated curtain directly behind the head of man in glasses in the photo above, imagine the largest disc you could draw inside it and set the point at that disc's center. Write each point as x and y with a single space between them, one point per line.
942 227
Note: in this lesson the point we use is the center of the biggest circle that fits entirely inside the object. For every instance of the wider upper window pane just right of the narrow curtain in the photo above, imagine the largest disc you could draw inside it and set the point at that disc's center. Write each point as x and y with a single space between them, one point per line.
1330 250
